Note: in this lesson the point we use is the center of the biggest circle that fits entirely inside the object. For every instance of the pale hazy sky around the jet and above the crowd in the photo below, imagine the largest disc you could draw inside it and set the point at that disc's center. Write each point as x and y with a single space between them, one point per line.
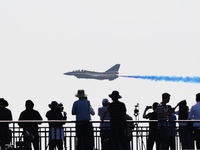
40 40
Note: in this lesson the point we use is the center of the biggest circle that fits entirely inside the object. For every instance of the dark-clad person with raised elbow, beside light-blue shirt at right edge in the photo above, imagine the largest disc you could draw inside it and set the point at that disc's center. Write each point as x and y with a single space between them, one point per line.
185 128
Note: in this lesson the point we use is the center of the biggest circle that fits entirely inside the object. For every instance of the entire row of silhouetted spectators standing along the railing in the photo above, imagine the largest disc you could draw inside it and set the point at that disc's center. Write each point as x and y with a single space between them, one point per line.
115 127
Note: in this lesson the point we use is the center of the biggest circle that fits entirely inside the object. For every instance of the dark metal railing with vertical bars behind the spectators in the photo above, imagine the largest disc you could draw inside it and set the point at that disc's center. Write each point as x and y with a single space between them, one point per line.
138 141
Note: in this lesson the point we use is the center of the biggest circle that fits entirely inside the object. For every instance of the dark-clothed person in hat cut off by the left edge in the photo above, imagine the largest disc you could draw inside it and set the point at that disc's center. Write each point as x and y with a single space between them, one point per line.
5 114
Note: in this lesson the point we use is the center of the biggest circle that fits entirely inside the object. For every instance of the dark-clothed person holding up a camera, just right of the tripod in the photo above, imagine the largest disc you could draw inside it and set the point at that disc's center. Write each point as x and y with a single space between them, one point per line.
153 127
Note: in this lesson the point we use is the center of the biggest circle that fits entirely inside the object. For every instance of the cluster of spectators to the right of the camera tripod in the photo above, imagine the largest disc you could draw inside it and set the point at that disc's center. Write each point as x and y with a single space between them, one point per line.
163 132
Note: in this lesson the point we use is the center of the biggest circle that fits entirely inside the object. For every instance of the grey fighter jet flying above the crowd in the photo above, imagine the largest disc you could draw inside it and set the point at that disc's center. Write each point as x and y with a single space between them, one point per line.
110 74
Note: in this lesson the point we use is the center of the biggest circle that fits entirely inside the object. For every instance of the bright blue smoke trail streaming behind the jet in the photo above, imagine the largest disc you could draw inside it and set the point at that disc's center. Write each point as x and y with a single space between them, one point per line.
186 79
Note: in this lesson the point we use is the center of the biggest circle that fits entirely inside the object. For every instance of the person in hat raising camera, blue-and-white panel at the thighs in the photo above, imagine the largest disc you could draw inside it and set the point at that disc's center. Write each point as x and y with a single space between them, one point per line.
56 130
